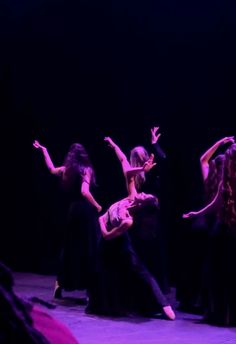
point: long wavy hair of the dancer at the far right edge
(229, 187)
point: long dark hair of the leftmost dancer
(77, 162)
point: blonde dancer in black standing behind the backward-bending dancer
(151, 244)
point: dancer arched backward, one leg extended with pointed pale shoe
(118, 258)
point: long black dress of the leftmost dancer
(80, 241)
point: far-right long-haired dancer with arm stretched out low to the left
(221, 298)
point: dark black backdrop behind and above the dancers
(76, 71)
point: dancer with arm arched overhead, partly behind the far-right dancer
(191, 290)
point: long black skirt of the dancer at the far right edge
(220, 277)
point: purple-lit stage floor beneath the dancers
(88, 329)
